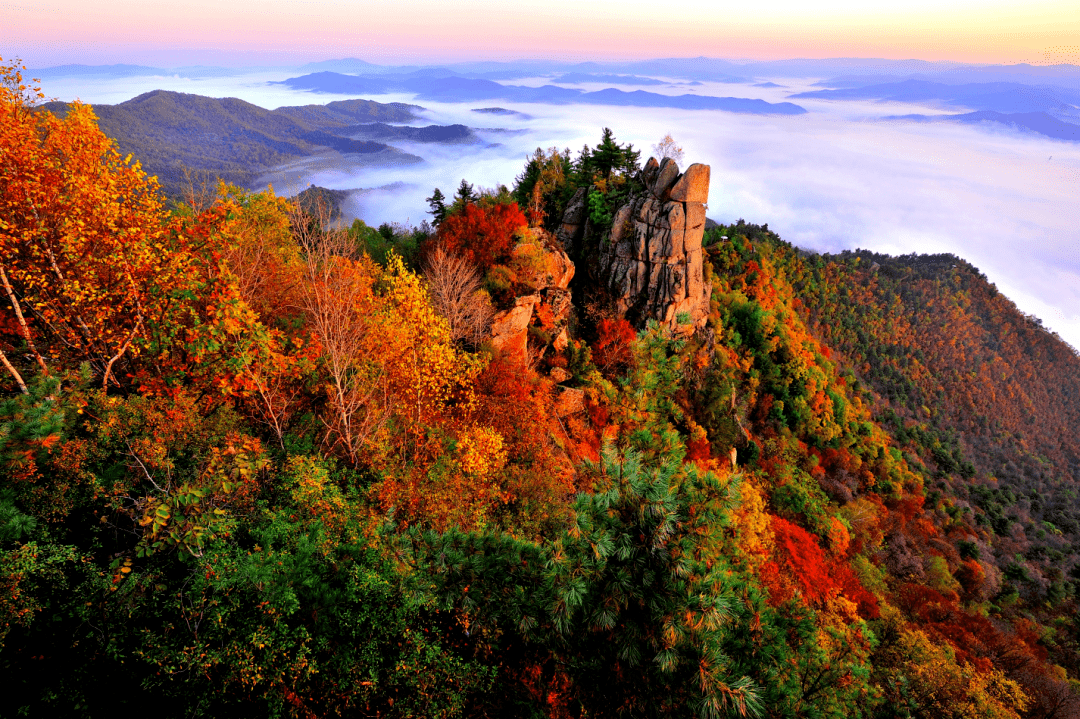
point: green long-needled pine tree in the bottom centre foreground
(628, 602)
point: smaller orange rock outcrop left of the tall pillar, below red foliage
(548, 305)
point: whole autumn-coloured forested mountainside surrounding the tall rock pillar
(256, 465)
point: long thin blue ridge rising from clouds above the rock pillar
(456, 89)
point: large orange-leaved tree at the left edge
(87, 256)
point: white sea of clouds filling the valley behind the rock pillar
(841, 177)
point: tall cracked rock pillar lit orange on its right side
(652, 263)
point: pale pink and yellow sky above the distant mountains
(238, 33)
